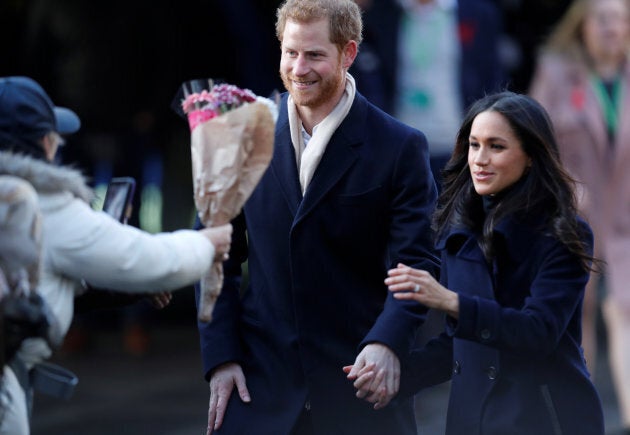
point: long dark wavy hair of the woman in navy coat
(546, 188)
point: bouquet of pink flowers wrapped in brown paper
(232, 134)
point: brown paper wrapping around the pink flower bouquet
(230, 153)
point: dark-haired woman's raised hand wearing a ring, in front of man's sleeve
(408, 283)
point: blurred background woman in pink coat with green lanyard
(582, 80)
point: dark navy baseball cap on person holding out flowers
(27, 113)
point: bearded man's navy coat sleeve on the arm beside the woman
(410, 242)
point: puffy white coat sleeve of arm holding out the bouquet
(111, 255)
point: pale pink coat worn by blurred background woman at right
(562, 86)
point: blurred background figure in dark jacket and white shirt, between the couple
(425, 61)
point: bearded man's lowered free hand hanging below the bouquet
(222, 383)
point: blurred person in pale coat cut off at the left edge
(22, 312)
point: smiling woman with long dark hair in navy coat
(516, 258)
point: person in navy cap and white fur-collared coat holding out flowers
(78, 242)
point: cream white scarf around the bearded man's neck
(308, 158)
